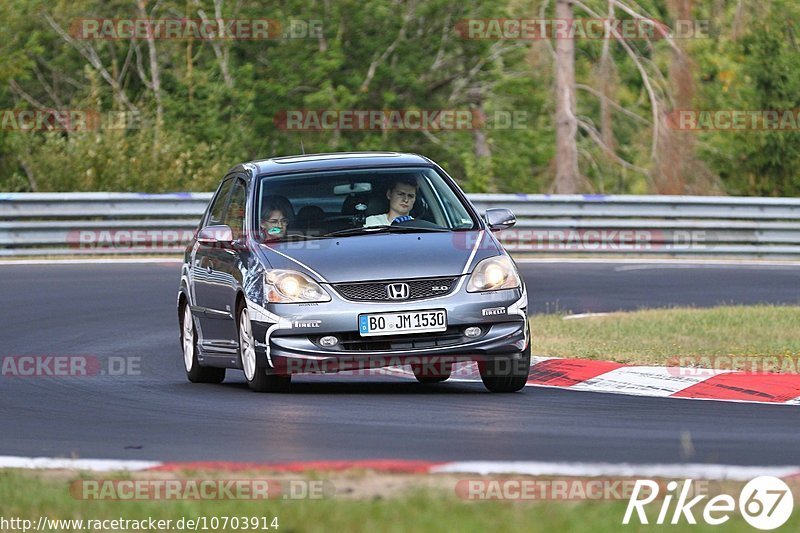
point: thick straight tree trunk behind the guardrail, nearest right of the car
(567, 174)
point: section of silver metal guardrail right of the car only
(651, 225)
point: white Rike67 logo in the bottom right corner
(765, 503)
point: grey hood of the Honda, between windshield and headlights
(383, 256)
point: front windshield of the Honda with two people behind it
(352, 202)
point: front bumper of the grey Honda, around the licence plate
(291, 344)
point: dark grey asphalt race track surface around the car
(128, 311)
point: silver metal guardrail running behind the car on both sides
(35, 224)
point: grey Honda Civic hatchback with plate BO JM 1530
(349, 262)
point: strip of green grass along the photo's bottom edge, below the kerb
(30, 495)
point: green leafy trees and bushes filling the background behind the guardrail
(211, 121)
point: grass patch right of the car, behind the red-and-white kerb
(658, 336)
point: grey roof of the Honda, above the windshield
(334, 161)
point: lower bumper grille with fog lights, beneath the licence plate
(353, 342)
